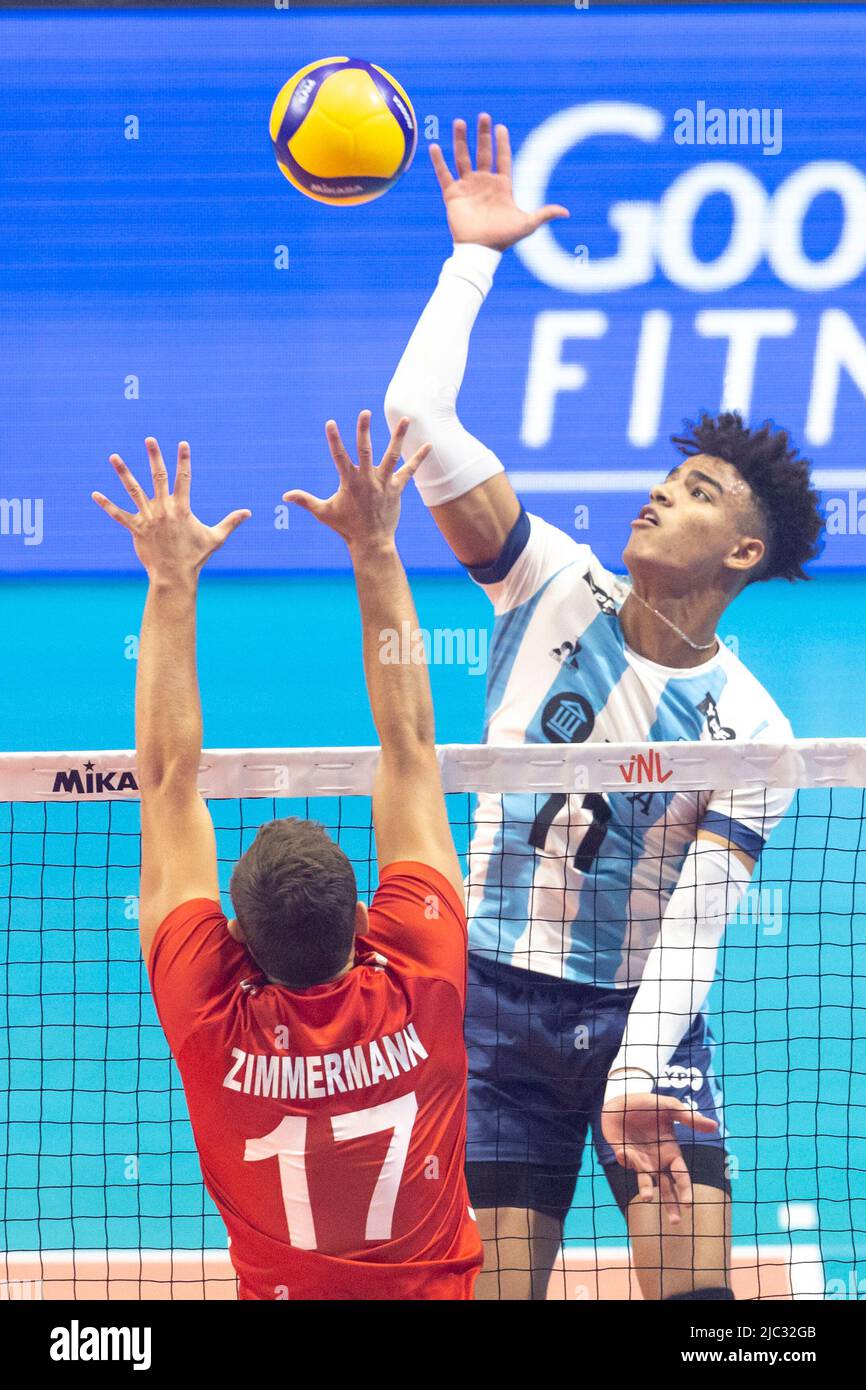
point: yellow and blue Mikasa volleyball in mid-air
(344, 131)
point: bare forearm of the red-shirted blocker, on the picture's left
(168, 703)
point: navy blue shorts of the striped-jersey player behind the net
(540, 1050)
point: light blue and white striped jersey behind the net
(576, 886)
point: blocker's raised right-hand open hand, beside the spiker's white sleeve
(366, 508)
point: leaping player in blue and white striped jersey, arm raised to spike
(596, 921)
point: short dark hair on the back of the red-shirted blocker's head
(295, 897)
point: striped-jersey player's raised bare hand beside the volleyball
(480, 204)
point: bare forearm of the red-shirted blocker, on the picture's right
(398, 683)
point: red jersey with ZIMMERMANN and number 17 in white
(332, 1122)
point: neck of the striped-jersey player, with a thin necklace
(643, 621)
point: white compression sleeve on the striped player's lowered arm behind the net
(682, 964)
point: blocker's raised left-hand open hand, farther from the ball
(169, 540)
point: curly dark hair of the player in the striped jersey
(781, 483)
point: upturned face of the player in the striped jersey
(696, 522)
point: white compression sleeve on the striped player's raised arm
(429, 376)
